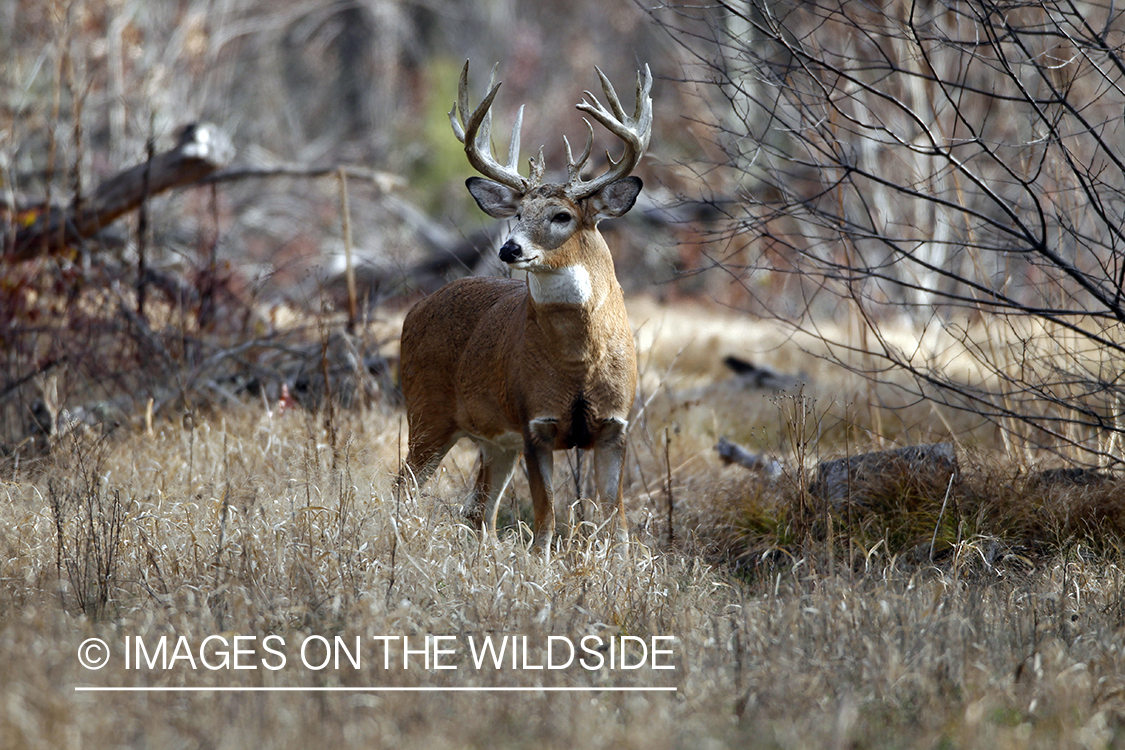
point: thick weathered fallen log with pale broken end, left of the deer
(202, 150)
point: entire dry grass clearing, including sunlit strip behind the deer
(852, 629)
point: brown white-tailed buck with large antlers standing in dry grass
(530, 367)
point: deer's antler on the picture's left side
(476, 134)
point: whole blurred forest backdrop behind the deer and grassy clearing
(932, 192)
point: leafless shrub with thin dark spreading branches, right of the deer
(953, 165)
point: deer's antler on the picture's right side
(634, 131)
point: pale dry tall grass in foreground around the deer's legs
(247, 525)
